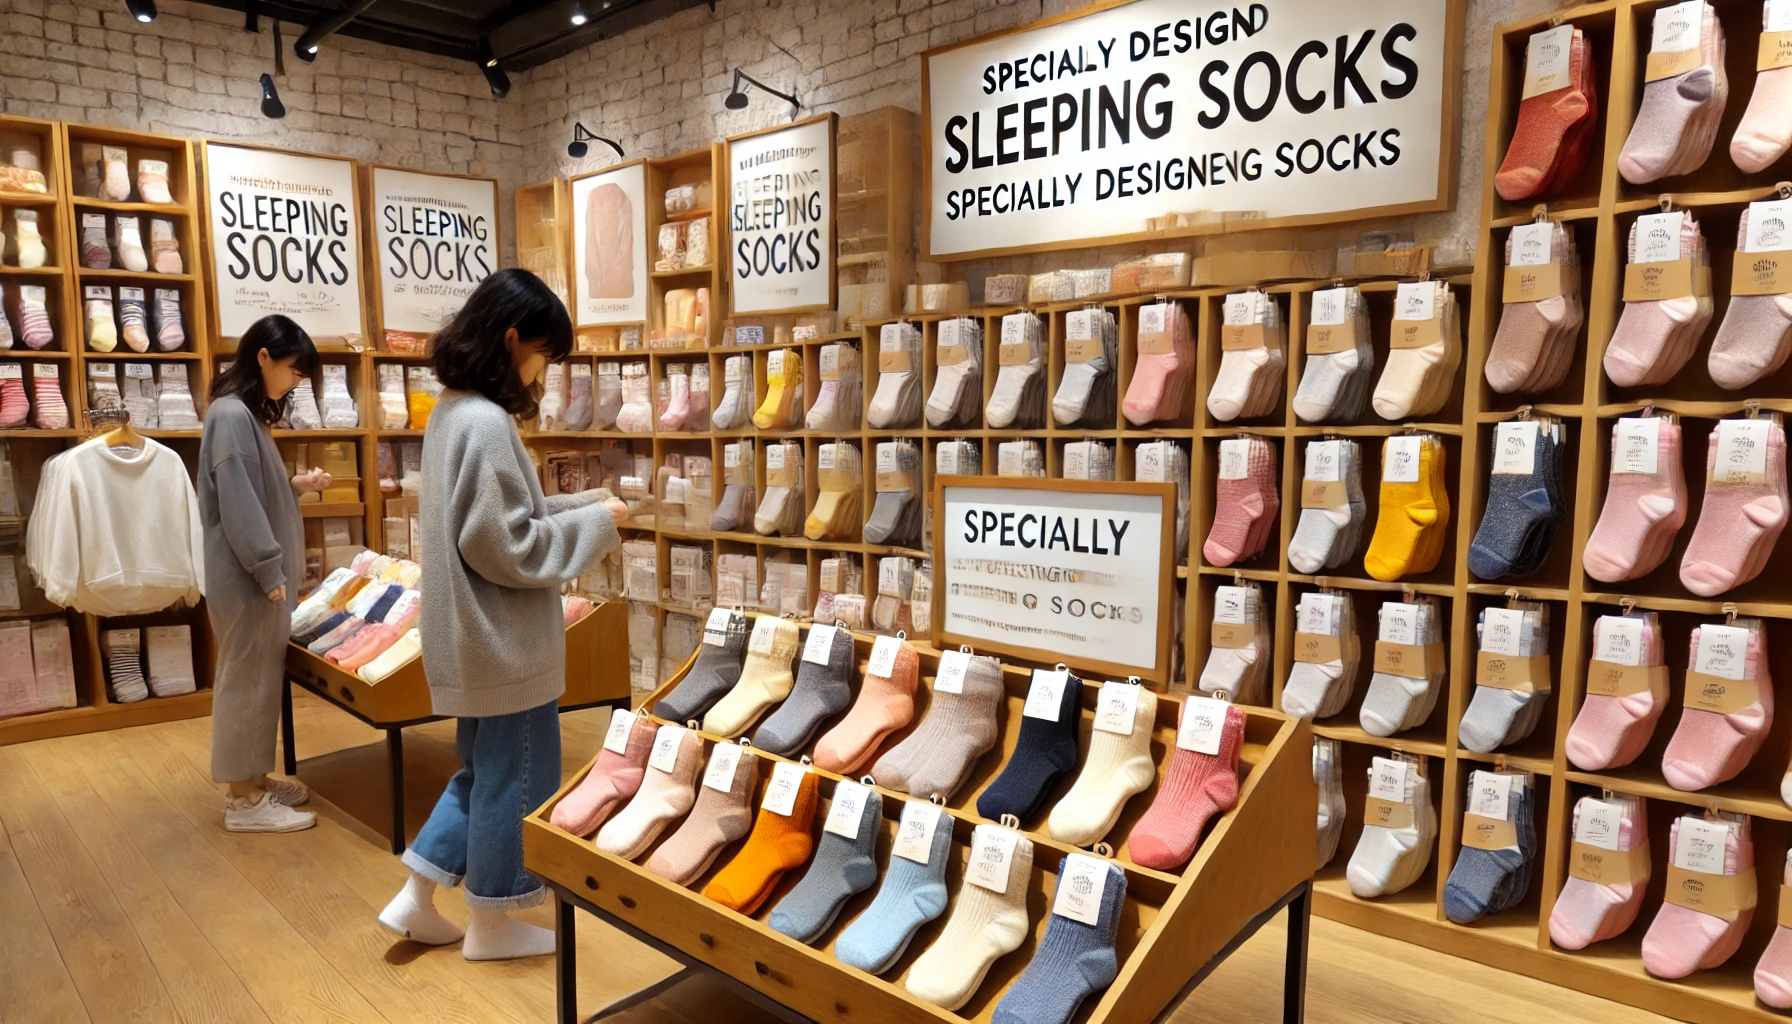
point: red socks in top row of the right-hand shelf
(1555, 132)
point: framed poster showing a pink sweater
(610, 247)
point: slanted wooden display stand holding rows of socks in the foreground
(1176, 926)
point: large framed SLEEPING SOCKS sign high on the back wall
(1076, 130)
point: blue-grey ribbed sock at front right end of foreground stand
(1073, 962)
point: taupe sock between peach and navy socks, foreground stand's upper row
(958, 729)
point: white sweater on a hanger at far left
(117, 534)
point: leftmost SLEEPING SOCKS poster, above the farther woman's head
(284, 238)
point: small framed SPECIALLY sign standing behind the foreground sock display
(1058, 575)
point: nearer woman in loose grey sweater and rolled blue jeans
(495, 555)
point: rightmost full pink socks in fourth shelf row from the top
(1712, 747)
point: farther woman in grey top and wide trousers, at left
(255, 555)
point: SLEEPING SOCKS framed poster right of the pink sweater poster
(780, 218)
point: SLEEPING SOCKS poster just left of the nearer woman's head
(435, 239)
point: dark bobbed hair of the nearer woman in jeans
(470, 352)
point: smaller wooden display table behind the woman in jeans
(598, 673)
